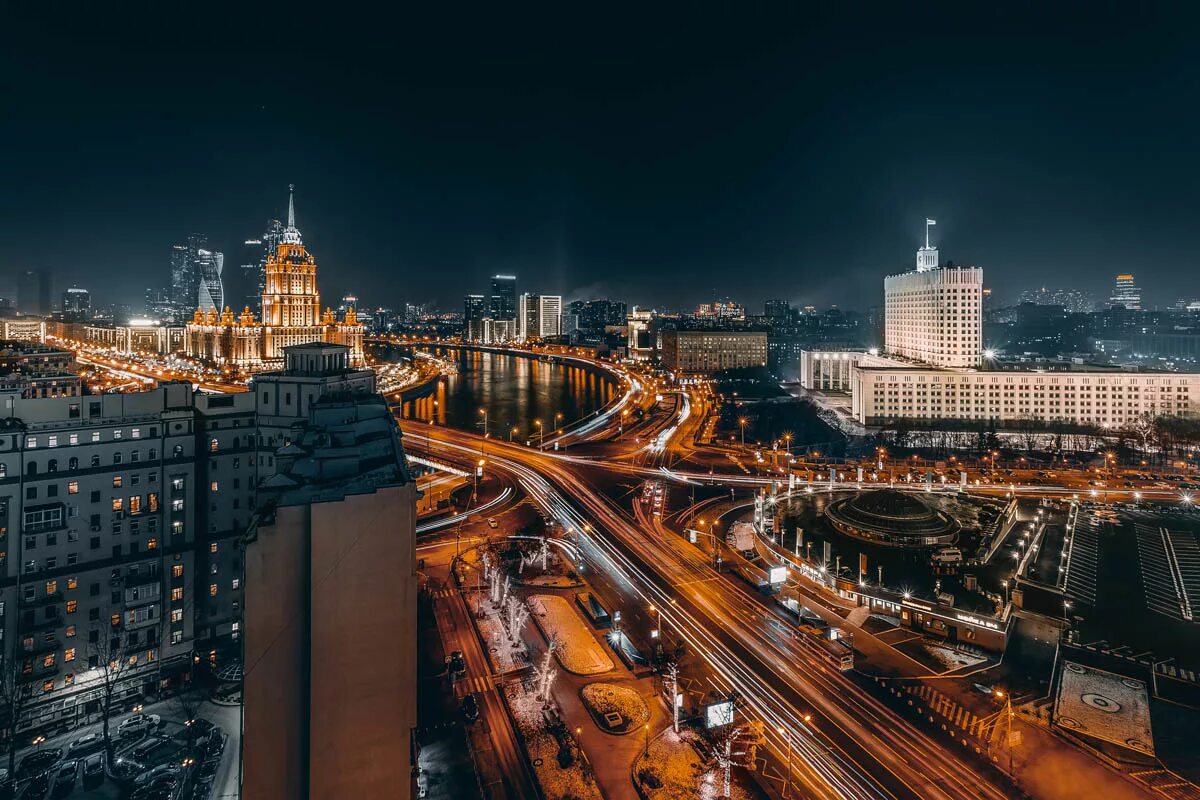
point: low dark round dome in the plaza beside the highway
(893, 520)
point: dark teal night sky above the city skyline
(597, 149)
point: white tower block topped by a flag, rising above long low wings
(935, 315)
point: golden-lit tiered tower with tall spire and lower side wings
(291, 315)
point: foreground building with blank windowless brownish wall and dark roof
(331, 564)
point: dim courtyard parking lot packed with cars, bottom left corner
(155, 759)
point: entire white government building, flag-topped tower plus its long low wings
(932, 369)
